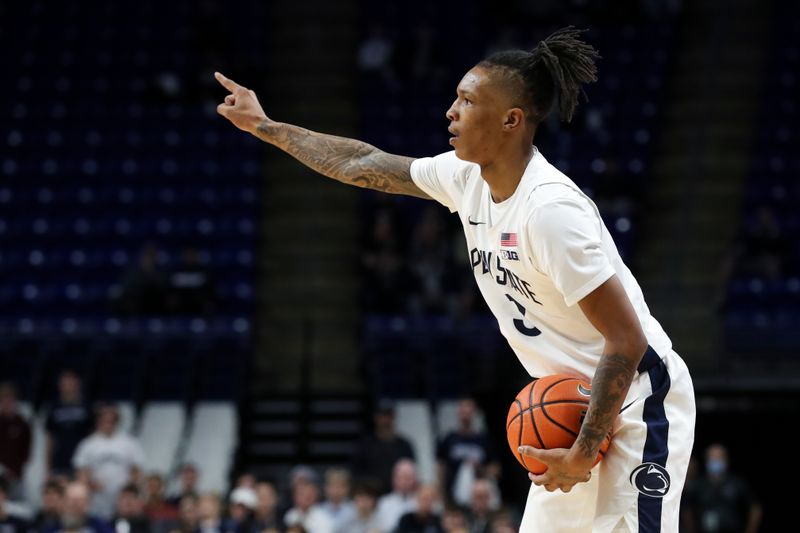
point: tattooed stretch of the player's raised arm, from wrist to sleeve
(346, 160)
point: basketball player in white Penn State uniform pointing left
(551, 274)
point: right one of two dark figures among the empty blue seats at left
(191, 288)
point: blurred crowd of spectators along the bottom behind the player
(96, 484)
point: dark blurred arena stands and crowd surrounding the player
(235, 317)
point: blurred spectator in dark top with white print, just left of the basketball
(465, 454)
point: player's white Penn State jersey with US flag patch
(535, 256)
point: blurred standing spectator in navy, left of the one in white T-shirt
(69, 421)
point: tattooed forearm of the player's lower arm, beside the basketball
(610, 385)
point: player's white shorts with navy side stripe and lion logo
(637, 487)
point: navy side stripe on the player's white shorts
(655, 444)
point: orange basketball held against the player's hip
(548, 414)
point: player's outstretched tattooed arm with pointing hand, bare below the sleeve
(346, 160)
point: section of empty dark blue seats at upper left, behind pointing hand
(99, 179)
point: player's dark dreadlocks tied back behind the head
(554, 71)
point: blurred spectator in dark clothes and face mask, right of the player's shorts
(720, 502)
